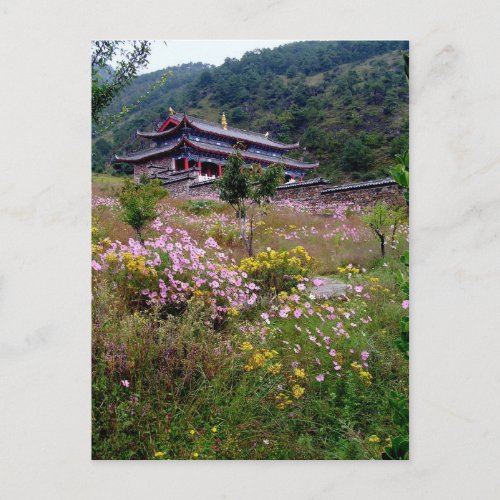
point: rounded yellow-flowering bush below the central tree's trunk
(279, 271)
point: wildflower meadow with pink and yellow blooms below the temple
(202, 353)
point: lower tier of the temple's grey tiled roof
(225, 150)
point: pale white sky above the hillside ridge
(174, 52)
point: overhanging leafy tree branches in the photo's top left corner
(107, 83)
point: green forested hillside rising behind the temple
(346, 102)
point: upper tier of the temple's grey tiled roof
(216, 128)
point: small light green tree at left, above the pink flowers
(138, 203)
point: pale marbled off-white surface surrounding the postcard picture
(45, 250)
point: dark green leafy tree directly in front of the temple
(246, 188)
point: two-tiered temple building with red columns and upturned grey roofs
(186, 147)
